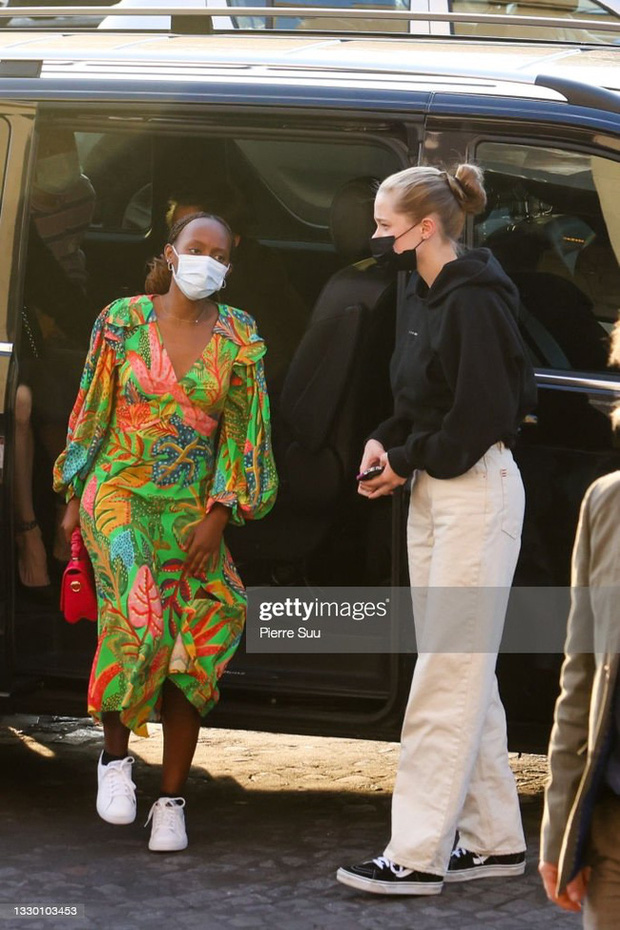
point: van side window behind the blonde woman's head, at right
(552, 219)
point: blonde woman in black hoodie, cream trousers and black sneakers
(462, 383)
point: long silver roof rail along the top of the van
(292, 12)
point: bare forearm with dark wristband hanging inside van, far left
(31, 555)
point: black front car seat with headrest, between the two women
(335, 391)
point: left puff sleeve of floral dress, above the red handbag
(91, 412)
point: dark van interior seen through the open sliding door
(303, 213)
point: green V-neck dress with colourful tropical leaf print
(149, 454)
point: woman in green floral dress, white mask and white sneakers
(168, 440)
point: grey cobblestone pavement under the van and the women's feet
(270, 818)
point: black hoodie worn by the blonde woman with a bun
(460, 373)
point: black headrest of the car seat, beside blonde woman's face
(351, 218)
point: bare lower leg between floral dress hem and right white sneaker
(181, 725)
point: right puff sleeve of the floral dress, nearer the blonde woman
(245, 476)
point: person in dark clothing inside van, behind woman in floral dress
(260, 283)
